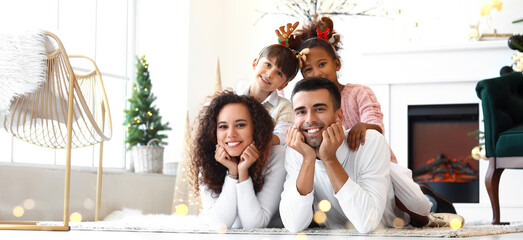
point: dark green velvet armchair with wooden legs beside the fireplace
(502, 102)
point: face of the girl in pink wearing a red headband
(320, 64)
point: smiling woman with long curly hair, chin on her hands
(232, 164)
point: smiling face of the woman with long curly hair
(234, 128)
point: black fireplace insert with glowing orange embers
(439, 149)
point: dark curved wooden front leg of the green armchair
(492, 184)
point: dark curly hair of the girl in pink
(307, 37)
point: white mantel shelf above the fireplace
(426, 63)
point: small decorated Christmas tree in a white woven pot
(144, 124)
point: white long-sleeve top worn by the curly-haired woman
(238, 206)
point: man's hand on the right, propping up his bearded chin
(333, 137)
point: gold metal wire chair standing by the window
(69, 110)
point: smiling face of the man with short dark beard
(313, 113)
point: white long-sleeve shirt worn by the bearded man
(364, 200)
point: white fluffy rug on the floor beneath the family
(134, 220)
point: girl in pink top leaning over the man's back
(361, 111)
